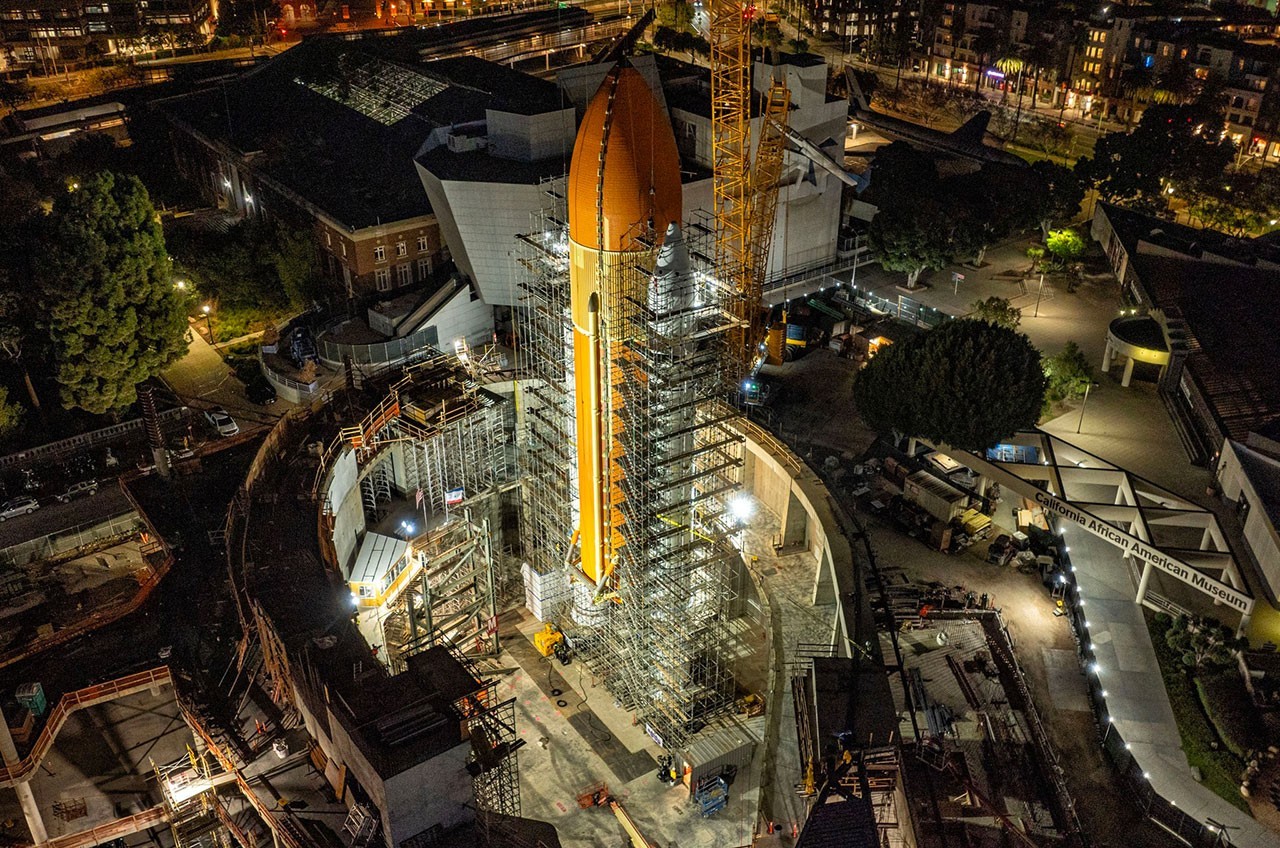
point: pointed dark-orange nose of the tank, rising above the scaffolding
(625, 174)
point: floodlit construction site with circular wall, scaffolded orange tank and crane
(552, 592)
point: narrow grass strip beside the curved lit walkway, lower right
(1220, 771)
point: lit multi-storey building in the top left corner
(48, 37)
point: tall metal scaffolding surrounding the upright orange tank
(657, 639)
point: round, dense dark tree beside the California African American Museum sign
(967, 384)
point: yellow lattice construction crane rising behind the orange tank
(746, 198)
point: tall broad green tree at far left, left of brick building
(112, 312)
